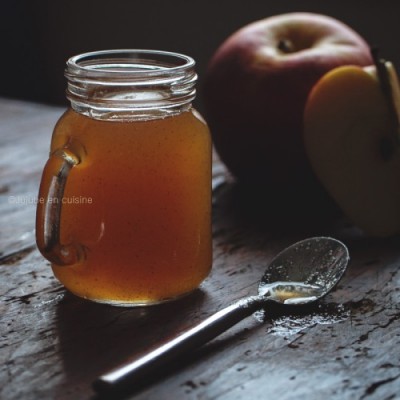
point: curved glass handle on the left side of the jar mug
(48, 215)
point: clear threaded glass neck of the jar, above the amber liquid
(130, 83)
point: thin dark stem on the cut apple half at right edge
(387, 91)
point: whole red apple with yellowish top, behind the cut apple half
(256, 88)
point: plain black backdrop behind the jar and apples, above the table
(38, 36)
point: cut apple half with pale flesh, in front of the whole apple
(351, 141)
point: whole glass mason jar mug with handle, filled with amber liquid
(125, 199)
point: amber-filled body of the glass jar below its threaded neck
(137, 203)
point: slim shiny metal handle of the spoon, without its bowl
(126, 376)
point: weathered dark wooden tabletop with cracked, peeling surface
(53, 345)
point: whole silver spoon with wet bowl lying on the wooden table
(300, 274)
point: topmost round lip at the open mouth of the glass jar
(129, 63)
